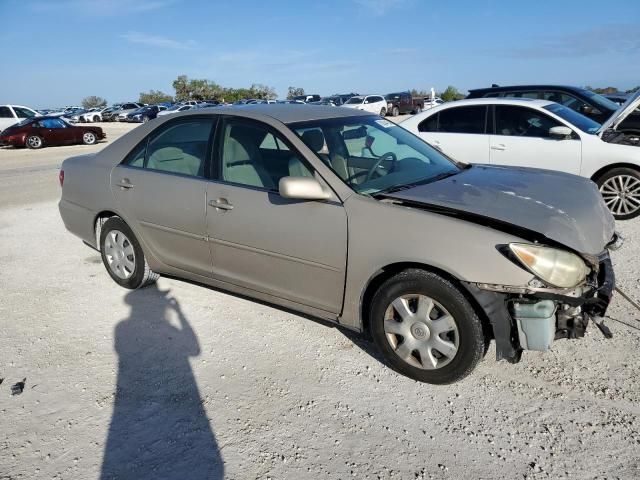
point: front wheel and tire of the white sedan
(620, 189)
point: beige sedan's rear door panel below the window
(169, 212)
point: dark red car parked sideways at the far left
(38, 132)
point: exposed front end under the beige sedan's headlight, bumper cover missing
(570, 318)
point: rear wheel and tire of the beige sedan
(131, 270)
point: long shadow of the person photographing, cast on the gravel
(159, 428)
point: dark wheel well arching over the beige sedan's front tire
(390, 270)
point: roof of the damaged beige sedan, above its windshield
(286, 113)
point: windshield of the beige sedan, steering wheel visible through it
(372, 155)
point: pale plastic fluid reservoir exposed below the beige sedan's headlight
(536, 324)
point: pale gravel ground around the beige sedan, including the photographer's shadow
(185, 382)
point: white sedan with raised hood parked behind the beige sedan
(541, 134)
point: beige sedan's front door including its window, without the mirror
(291, 249)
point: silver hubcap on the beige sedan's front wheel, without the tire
(421, 331)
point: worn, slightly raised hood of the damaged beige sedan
(561, 207)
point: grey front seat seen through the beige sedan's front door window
(242, 162)
